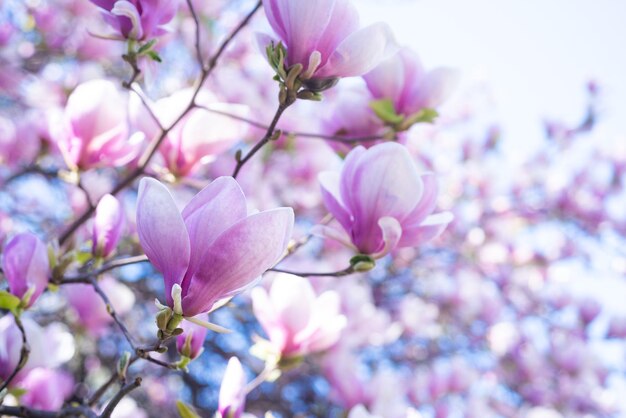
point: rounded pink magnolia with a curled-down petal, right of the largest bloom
(381, 201)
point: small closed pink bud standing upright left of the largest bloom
(108, 226)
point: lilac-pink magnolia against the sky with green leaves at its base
(402, 79)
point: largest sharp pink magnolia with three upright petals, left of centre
(214, 249)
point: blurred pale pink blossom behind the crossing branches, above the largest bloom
(199, 137)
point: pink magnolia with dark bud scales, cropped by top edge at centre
(324, 37)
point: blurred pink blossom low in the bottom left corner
(46, 389)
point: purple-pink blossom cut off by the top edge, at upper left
(138, 19)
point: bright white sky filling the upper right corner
(536, 55)
